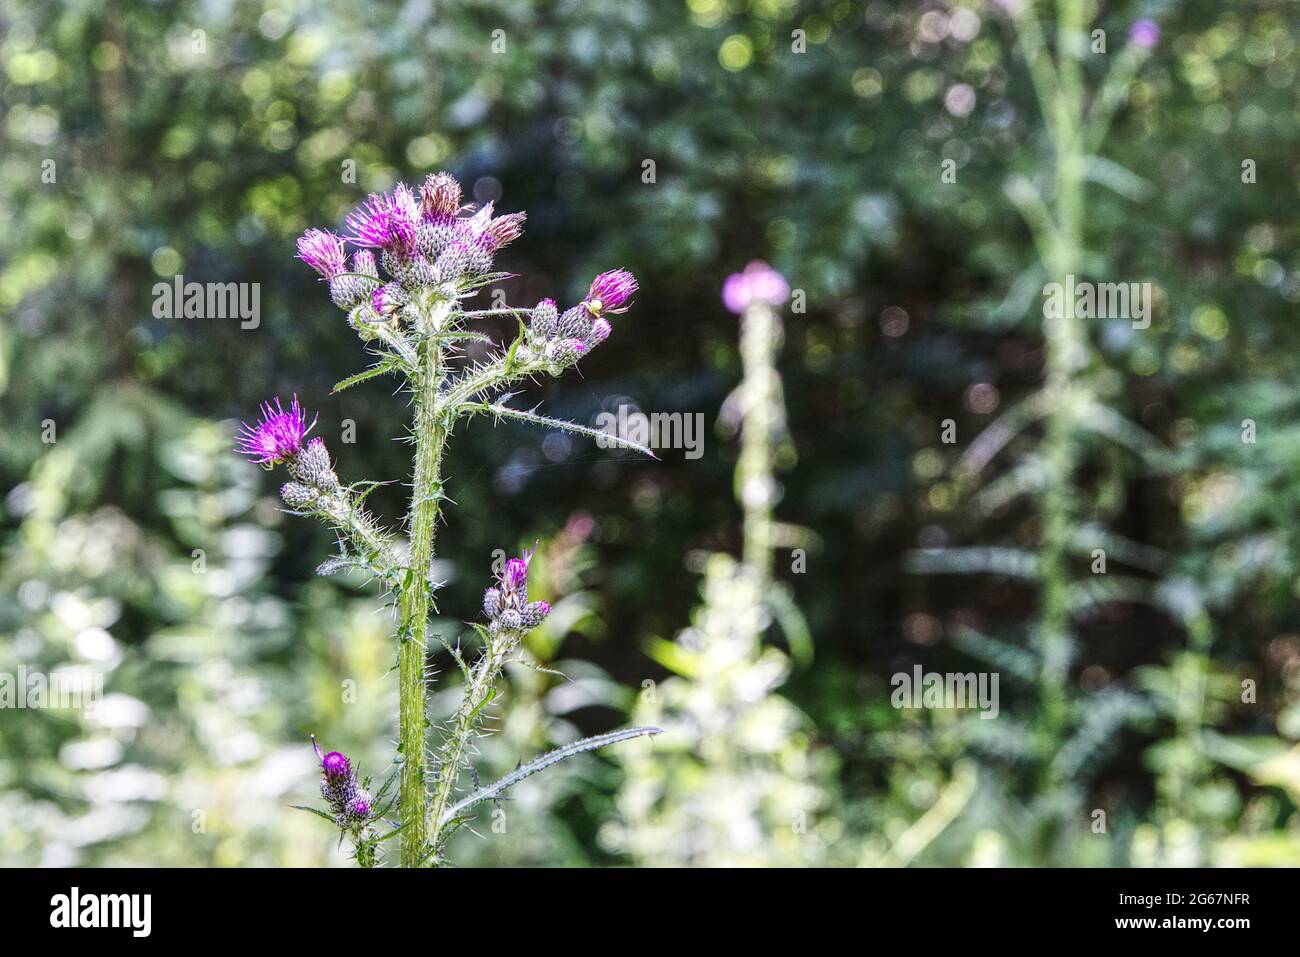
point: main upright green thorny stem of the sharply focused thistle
(431, 436)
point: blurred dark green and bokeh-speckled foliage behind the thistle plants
(142, 140)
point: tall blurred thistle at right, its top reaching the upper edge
(1081, 428)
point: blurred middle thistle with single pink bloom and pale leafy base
(735, 781)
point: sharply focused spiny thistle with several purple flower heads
(421, 254)
